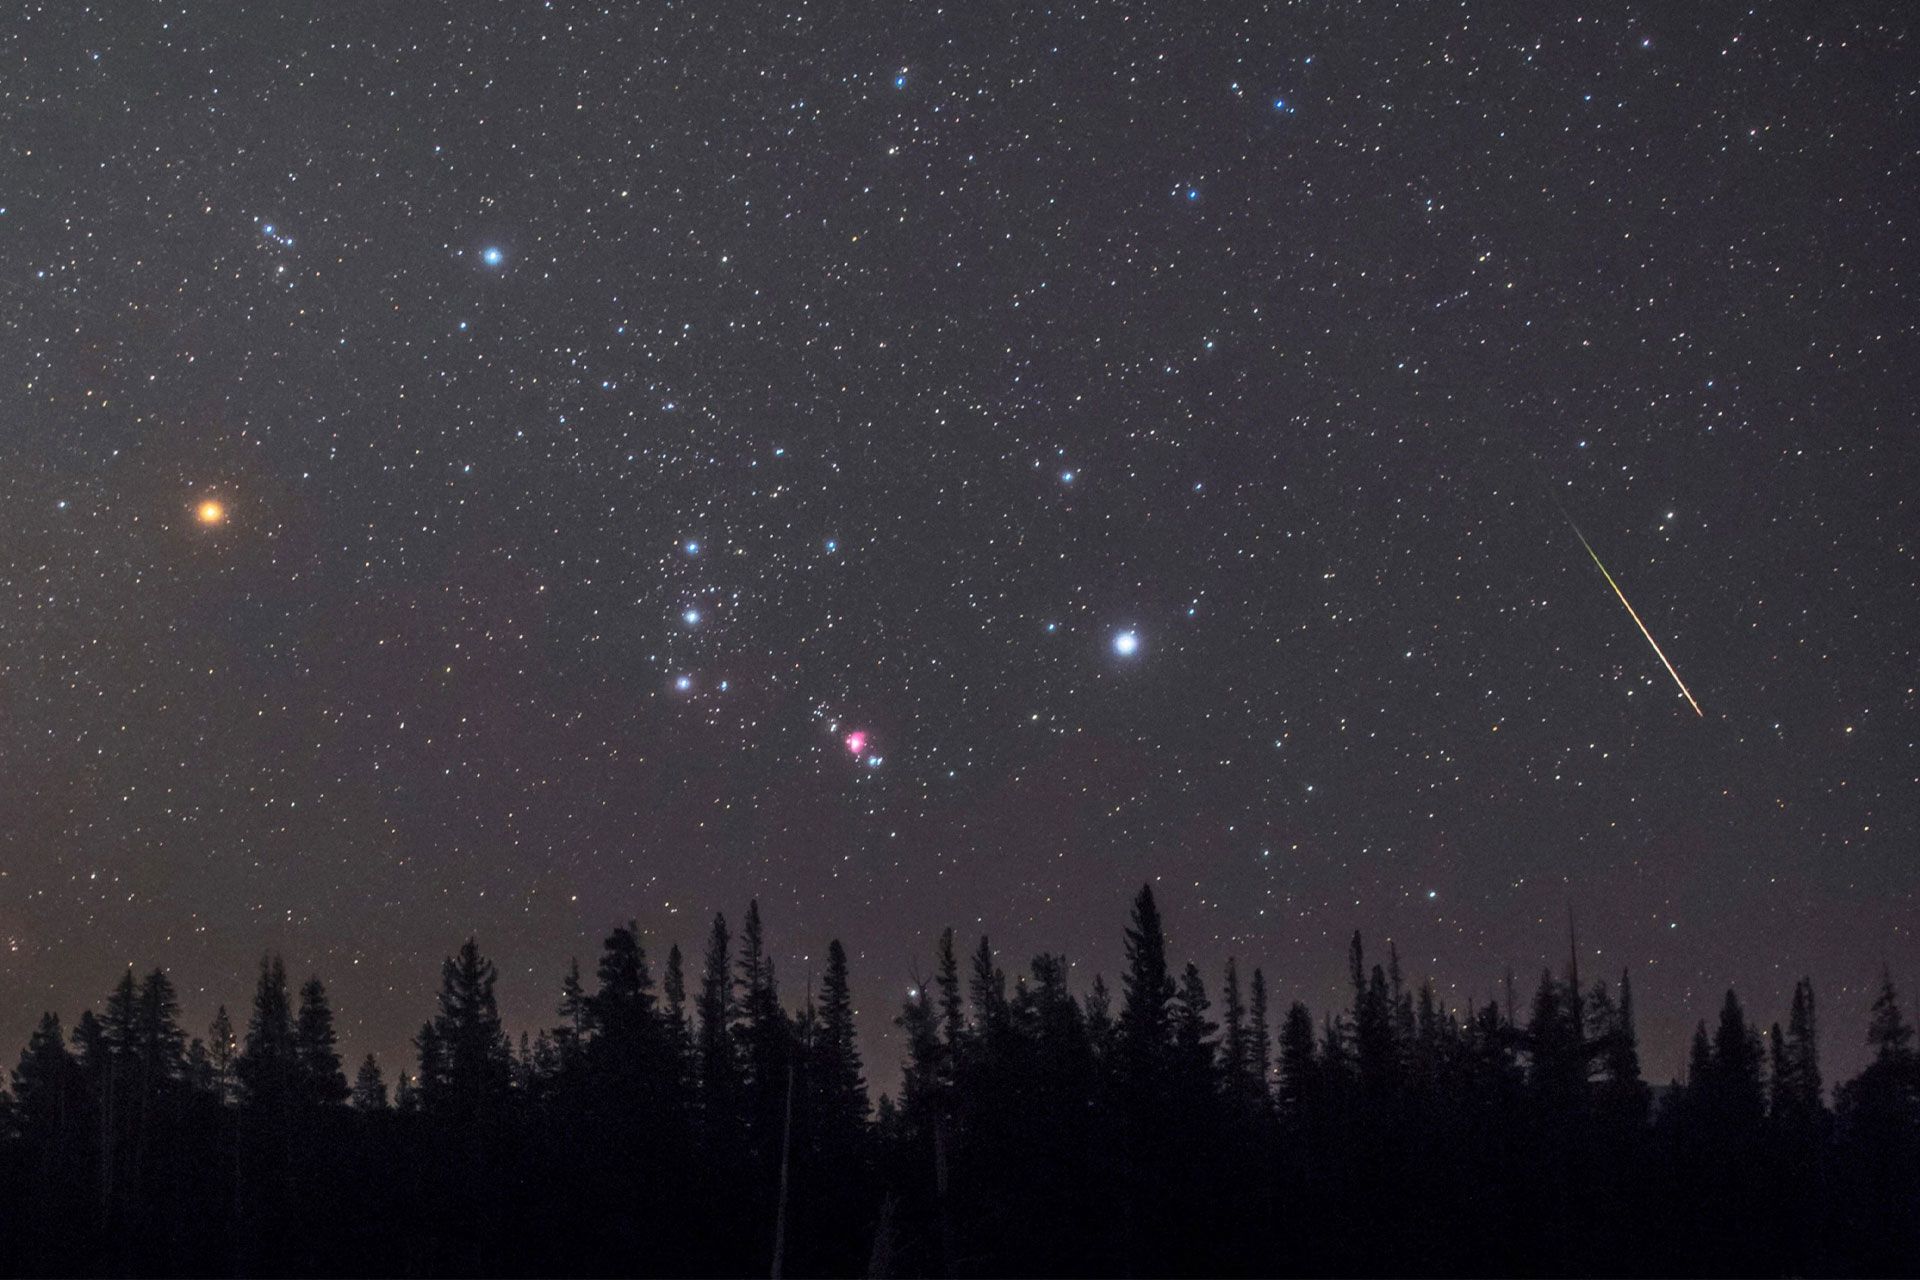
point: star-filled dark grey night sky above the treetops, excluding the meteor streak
(951, 465)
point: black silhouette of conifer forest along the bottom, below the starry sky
(700, 1127)
